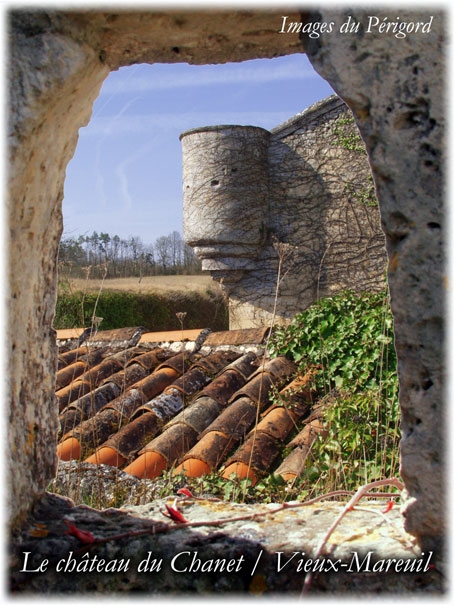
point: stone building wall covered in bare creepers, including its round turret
(300, 196)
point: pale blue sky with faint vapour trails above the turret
(126, 175)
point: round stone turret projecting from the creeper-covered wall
(226, 196)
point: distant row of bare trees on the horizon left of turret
(103, 255)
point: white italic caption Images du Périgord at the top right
(374, 24)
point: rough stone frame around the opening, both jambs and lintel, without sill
(395, 89)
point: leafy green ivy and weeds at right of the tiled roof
(349, 338)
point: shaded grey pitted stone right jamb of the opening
(400, 112)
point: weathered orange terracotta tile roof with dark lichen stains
(125, 401)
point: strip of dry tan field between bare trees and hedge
(157, 283)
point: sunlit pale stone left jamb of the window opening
(55, 81)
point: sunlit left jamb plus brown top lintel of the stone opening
(57, 63)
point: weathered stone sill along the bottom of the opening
(266, 553)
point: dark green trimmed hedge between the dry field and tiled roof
(157, 312)
